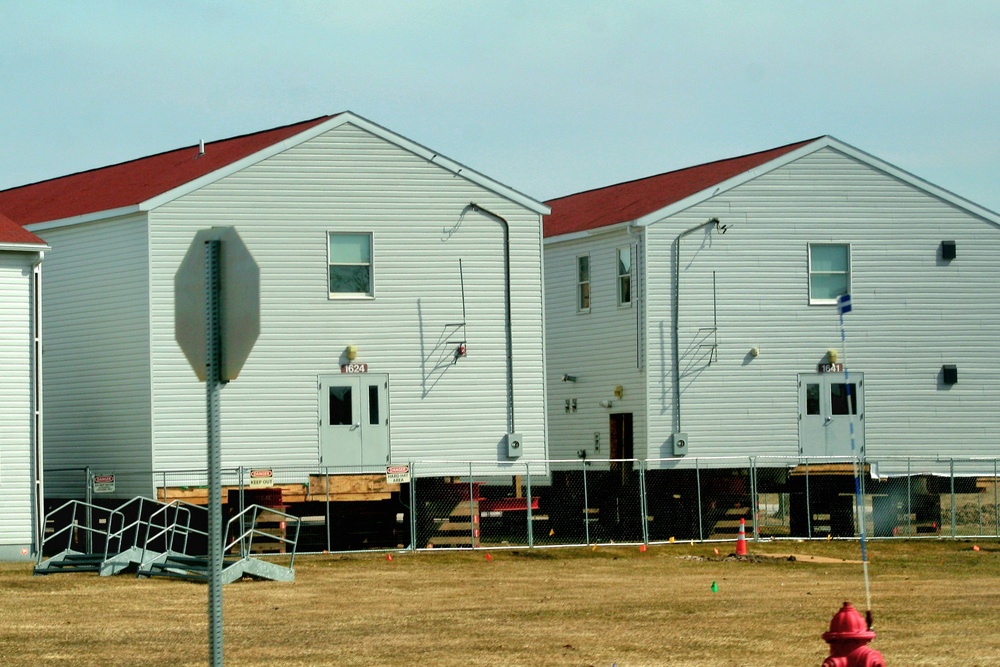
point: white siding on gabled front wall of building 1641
(912, 313)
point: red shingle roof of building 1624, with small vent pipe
(131, 183)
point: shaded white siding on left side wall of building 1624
(97, 367)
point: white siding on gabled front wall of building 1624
(429, 242)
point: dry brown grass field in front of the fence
(935, 602)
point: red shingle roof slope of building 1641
(634, 199)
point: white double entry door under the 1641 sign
(826, 414)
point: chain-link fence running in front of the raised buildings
(586, 502)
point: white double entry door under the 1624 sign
(354, 420)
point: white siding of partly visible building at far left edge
(16, 404)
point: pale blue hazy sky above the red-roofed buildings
(550, 97)
